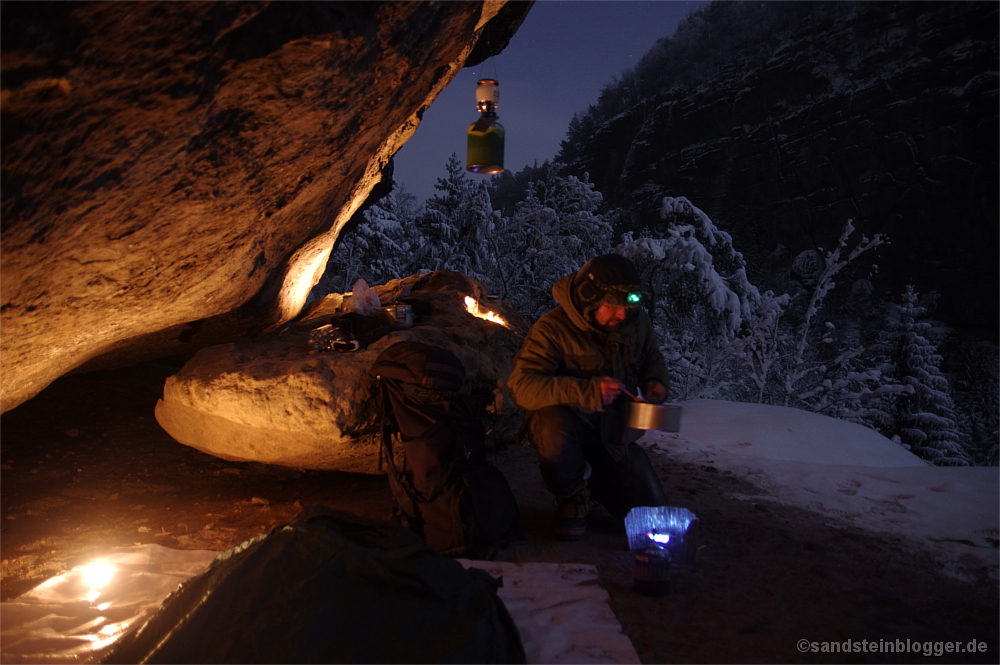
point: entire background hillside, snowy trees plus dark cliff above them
(808, 131)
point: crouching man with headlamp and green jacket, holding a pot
(573, 375)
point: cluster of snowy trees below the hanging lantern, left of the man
(553, 231)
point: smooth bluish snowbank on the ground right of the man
(846, 473)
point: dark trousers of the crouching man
(566, 440)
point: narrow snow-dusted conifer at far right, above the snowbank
(925, 420)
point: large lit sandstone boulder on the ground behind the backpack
(275, 399)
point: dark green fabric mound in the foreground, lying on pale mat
(330, 587)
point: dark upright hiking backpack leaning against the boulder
(446, 491)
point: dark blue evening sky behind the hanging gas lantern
(556, 64)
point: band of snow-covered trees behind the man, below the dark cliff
(826, 344)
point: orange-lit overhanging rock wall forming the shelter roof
(175, 174)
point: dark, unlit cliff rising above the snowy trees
(885, 113)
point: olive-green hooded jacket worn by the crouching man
(564, 357)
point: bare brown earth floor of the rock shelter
(85, 467)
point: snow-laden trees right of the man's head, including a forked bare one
(723, 338)
